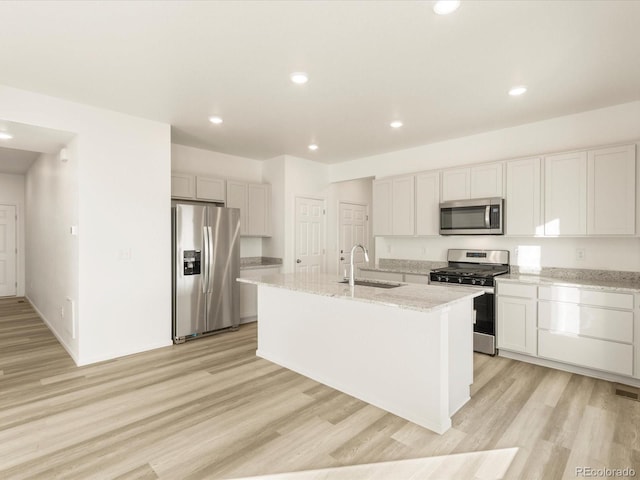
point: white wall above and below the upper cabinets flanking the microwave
(611, 125)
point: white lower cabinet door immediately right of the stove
(516, 321)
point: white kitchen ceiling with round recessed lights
(368, 62)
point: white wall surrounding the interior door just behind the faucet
(356, 191)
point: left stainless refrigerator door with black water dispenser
(190, 257)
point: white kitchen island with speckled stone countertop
(407, 350)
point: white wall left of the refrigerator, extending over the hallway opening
(124, 190)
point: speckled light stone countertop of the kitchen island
(424, 298)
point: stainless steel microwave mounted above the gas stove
(481, 216)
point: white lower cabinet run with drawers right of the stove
(587, 328)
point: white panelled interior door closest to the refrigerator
(310, 249)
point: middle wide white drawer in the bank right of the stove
(580, 320)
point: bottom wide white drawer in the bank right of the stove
(586, 352)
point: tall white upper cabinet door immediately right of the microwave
(523, 198)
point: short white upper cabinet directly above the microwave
(483, 181)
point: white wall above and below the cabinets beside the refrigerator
(197, 161)
